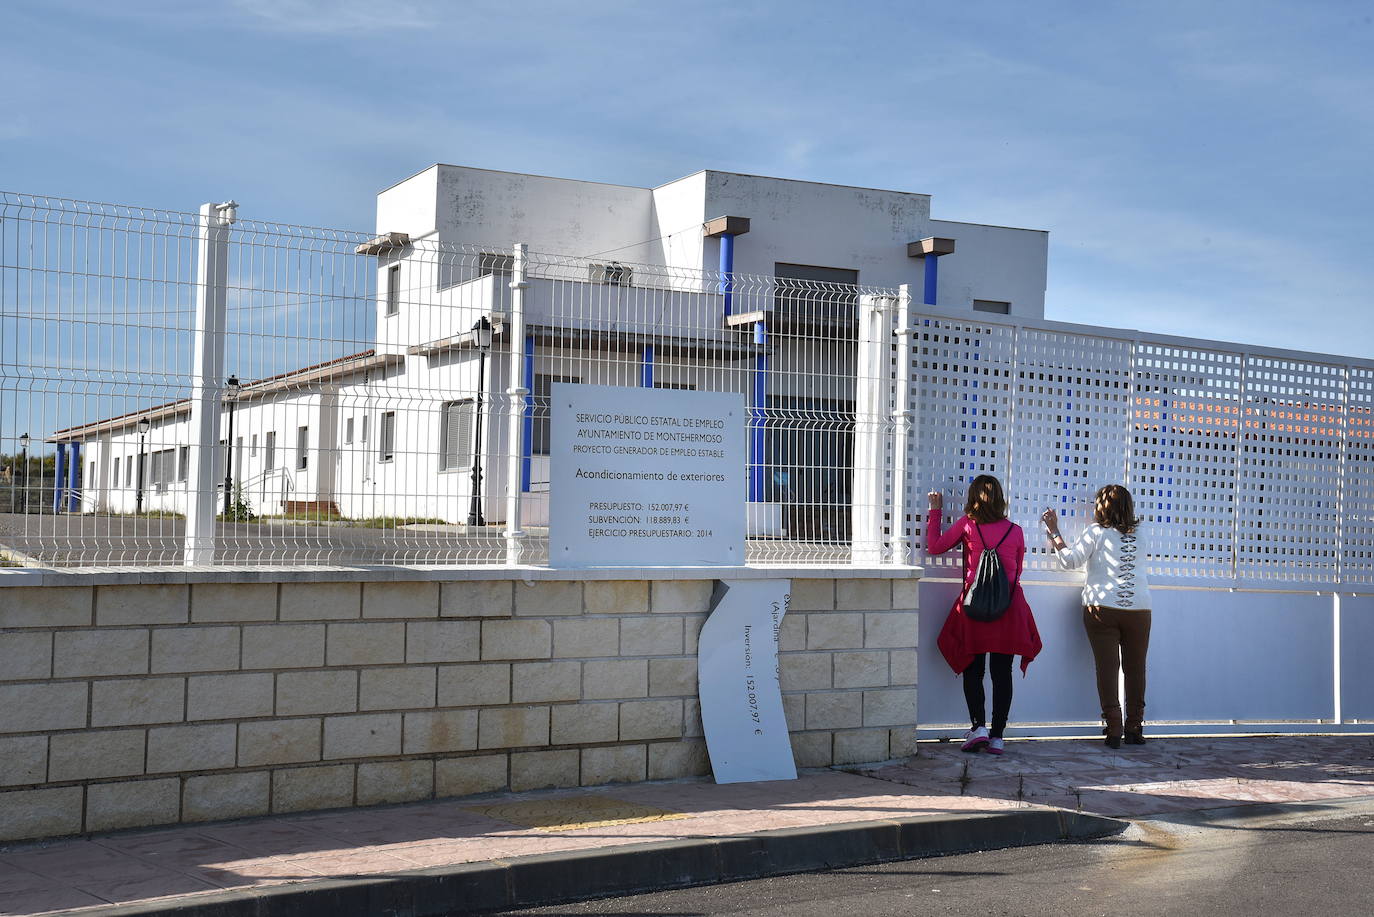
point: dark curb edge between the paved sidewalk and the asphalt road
(548, 879)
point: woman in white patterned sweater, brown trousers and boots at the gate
(1116, 606)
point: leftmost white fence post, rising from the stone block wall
(212, 278)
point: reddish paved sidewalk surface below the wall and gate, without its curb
(941, 782)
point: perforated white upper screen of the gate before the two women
(1251, 468)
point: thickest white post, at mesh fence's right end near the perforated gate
(873, 406)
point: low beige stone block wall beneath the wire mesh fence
(134, 705)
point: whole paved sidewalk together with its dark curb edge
(557, 845)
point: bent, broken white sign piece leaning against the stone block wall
(741, 695)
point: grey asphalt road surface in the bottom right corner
(1221, 864)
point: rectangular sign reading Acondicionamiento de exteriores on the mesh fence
(646, 478)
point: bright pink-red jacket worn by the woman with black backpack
(1015, 633)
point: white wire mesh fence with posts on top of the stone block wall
(377, 401)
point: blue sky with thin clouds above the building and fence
(1204, 168)
